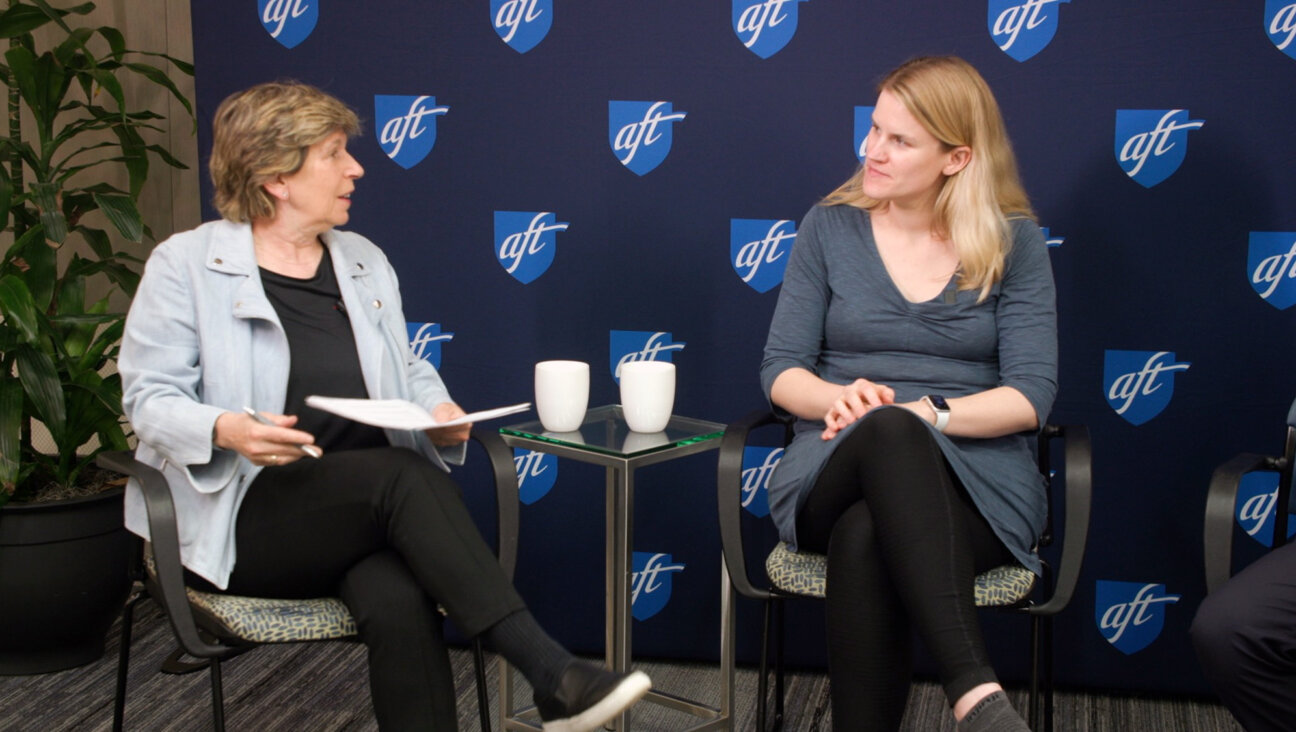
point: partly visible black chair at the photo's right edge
(1223, 497)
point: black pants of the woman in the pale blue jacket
(387, 532)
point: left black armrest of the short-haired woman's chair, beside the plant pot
(167, 553)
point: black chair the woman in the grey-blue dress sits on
(1010, 588)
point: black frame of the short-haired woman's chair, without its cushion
(192, 632)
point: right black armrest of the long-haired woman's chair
(1079, 485)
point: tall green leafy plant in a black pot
(58, 343)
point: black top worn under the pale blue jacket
(322, 356)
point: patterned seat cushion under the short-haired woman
(266, 620)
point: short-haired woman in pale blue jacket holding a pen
(274, 304)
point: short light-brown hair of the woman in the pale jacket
(262, 133)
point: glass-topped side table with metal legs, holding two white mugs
(605, 440)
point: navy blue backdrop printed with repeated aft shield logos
(579, 179)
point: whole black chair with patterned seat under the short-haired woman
(214, 628)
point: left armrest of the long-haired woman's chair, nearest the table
(729, 497)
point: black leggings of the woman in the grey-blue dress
(904, 545)
